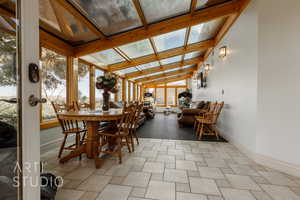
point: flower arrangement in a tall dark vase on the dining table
(108, 83)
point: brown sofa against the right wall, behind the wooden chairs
(187, 115)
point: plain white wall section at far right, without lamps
(278, 133)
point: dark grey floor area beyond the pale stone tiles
(166, 127)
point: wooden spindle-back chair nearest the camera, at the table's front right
(115, 139)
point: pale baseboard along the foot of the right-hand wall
(267, 161)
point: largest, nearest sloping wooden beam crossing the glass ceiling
(165, 26)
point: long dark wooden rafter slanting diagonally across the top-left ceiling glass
(81, 18)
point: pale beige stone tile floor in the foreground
(173, 169)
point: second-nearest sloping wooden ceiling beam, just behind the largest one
(162, 55)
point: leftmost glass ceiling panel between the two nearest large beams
(103, 58)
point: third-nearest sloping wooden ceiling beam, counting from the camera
(164, 67)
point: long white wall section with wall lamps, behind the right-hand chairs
(237, 75)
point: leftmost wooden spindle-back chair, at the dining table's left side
(69, 127)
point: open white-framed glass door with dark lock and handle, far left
(19, 127)
